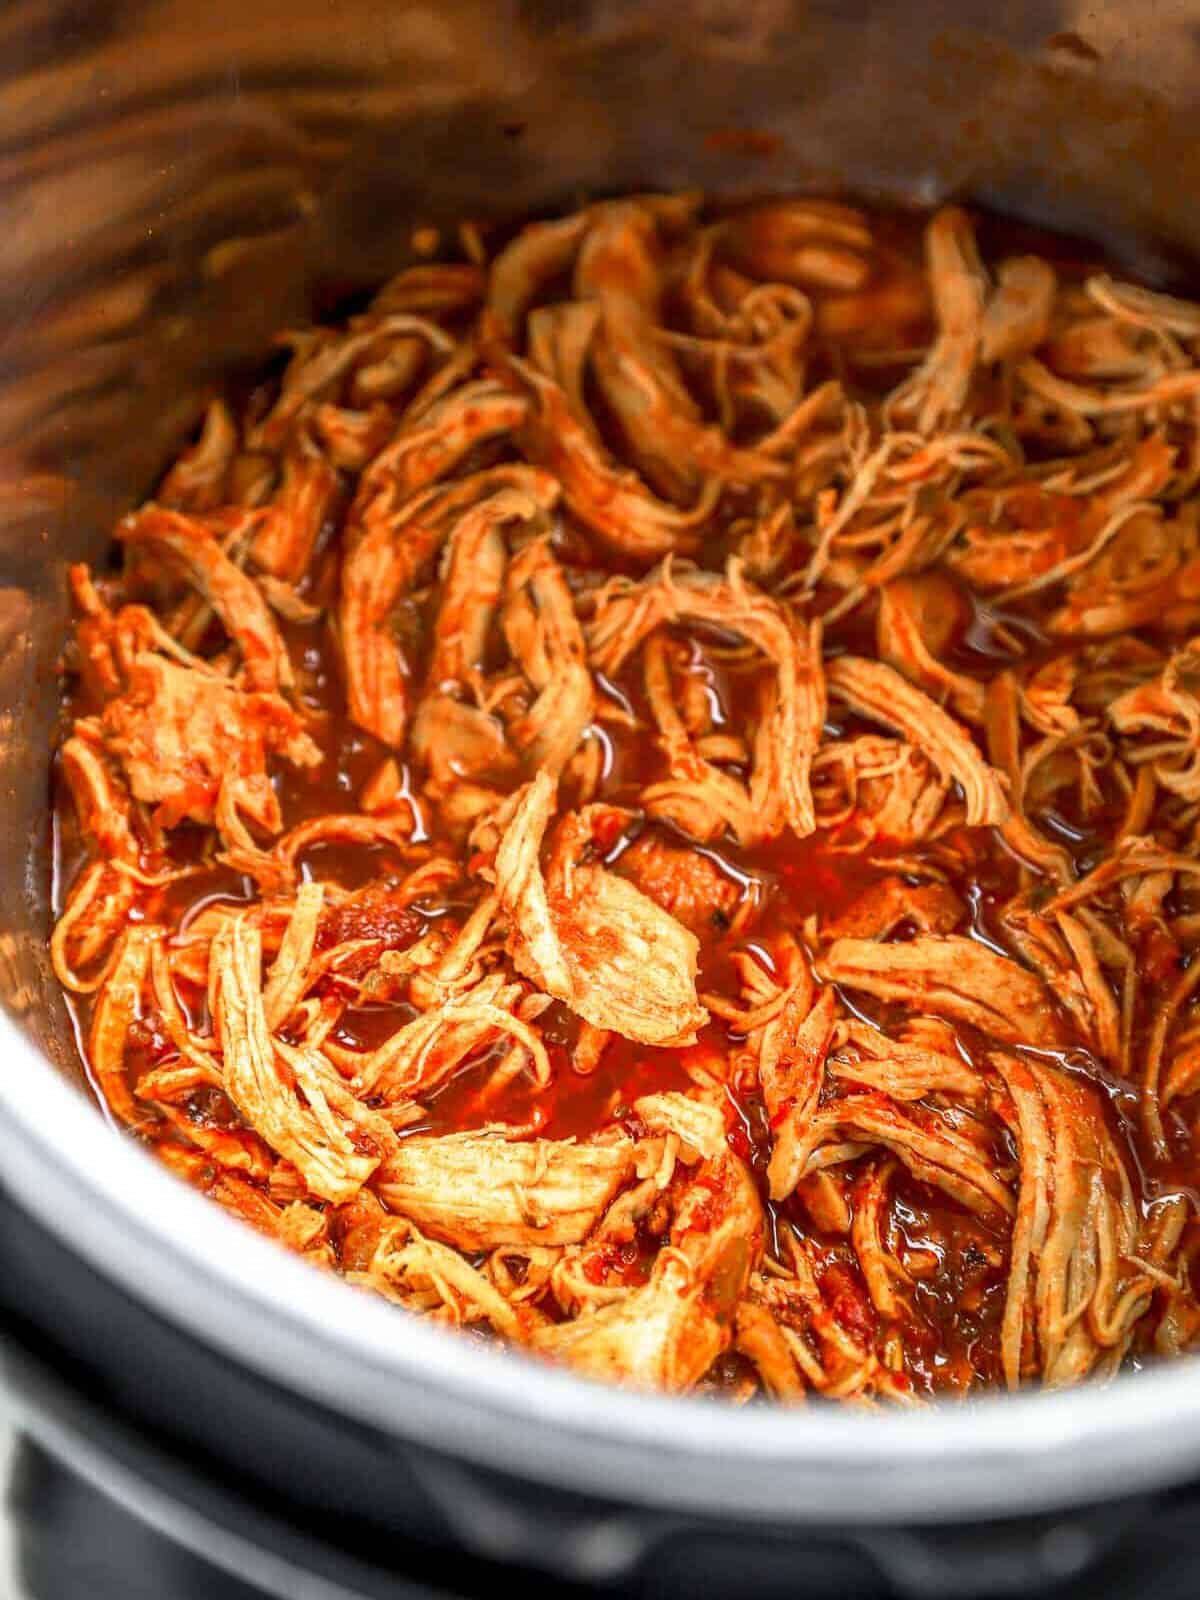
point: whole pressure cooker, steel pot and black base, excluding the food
(201, 1414)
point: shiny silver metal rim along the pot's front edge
(204, 1271)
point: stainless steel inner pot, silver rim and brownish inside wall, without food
(178, 178)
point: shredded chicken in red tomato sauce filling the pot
(642, 799)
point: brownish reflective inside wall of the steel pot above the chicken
(182, 180)
